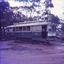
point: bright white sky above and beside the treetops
(57, 10)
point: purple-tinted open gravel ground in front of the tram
(12, 52)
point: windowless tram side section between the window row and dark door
(36, 32)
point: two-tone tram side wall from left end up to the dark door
(35, 32)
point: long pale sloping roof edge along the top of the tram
(29, 24)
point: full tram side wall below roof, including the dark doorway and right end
(36, 32)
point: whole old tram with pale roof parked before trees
(39, 31)
